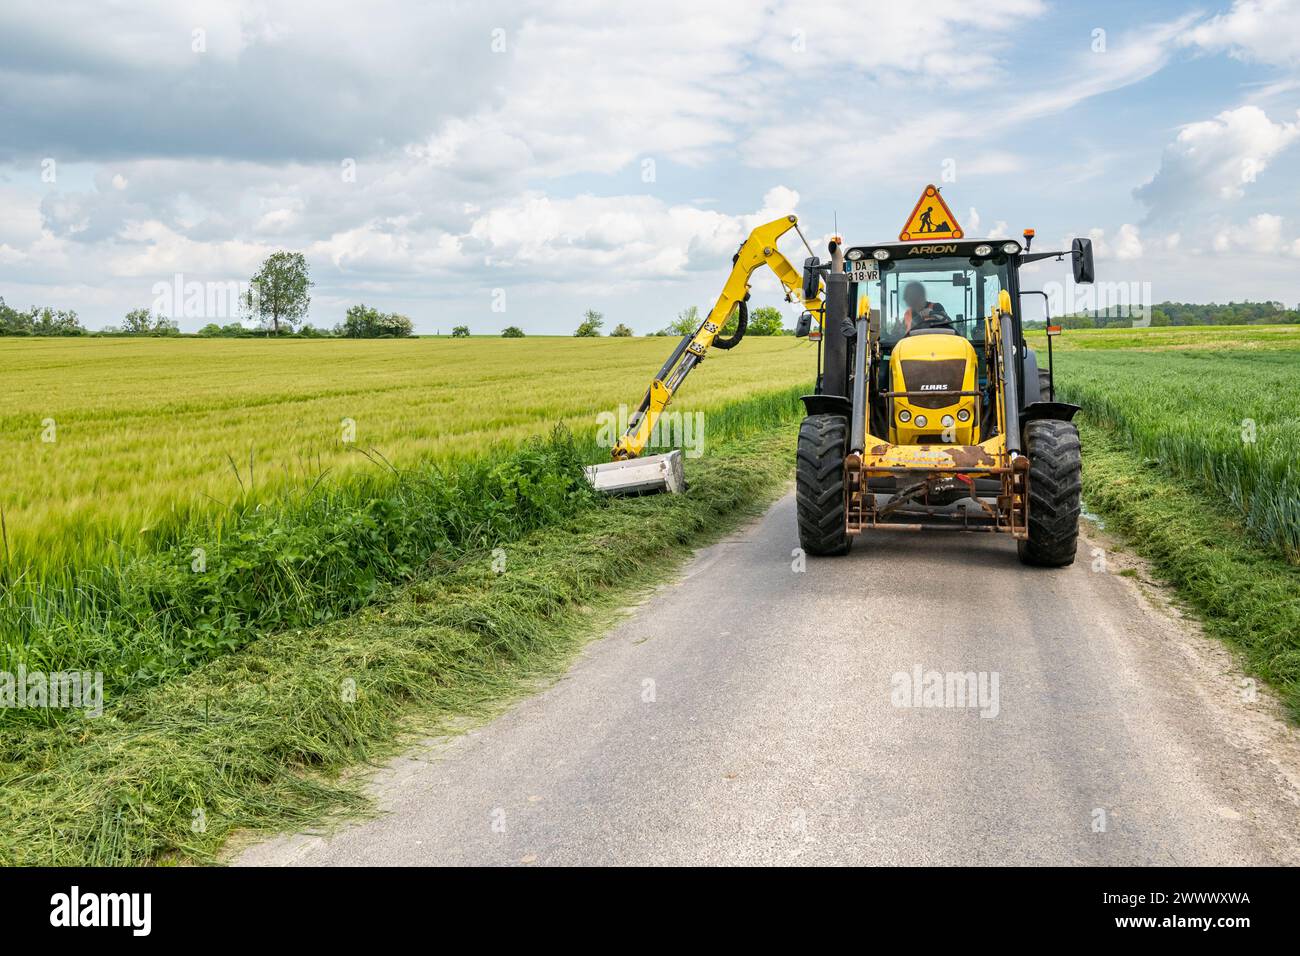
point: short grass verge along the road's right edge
(1243, 592)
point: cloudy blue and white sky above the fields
(450, 161)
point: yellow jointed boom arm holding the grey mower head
(760, 249)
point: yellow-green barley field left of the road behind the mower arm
(107, 443)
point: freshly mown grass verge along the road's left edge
(262, 738)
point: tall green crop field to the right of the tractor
(1225, 422)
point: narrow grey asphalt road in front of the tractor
(751, 713)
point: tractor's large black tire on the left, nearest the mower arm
(820, 486)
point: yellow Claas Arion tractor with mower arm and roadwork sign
(930, 410)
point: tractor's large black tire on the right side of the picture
(1056, 483)
